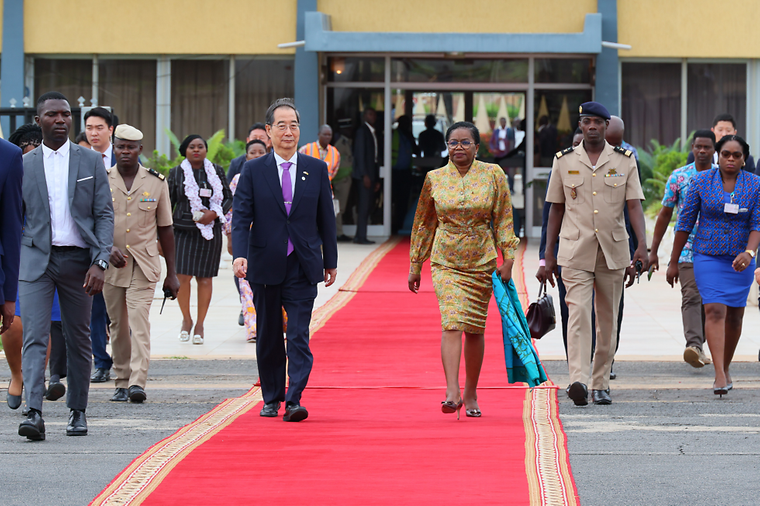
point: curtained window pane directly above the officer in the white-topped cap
(129, 88)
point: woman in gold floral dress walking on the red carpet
(464, 214)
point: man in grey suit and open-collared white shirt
(66, 243)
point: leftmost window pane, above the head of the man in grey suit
(73, 78)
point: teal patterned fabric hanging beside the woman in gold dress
(523, 365)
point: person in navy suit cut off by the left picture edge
(11, 175)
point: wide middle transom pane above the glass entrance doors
(459, 71)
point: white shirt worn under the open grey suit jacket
(62, 226)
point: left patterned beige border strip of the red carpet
(133, 485)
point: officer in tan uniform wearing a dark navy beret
(589, 188)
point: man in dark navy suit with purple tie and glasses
(284, 225)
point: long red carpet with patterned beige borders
(375, 432)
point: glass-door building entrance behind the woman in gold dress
(536, 99)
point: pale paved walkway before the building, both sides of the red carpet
(652, 328)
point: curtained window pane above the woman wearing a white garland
(199, 97)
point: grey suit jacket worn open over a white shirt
(89, 200)
